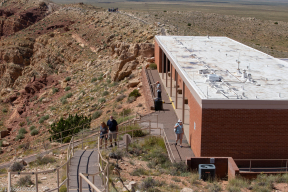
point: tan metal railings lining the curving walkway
(92, 140)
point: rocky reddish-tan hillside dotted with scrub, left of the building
(68, 59)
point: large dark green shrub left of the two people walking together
(64, 124)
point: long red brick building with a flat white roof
(237, 96)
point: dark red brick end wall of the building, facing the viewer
(245, 133)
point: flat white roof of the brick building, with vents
(266, 77)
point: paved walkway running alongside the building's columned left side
(167, 119)
